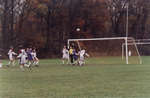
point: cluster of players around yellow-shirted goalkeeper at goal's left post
(74, 57)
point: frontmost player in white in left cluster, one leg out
(23, 61)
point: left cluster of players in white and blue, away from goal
(26, 58)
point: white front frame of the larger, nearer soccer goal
(111, 38)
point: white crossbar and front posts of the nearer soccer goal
(125, 40)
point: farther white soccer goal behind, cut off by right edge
(142, 49)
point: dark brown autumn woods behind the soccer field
(47, 24)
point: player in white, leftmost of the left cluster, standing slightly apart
(11, 55)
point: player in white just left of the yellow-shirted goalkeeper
(65, 56)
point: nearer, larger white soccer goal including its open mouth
(104, 50)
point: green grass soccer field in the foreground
(53, 80)
